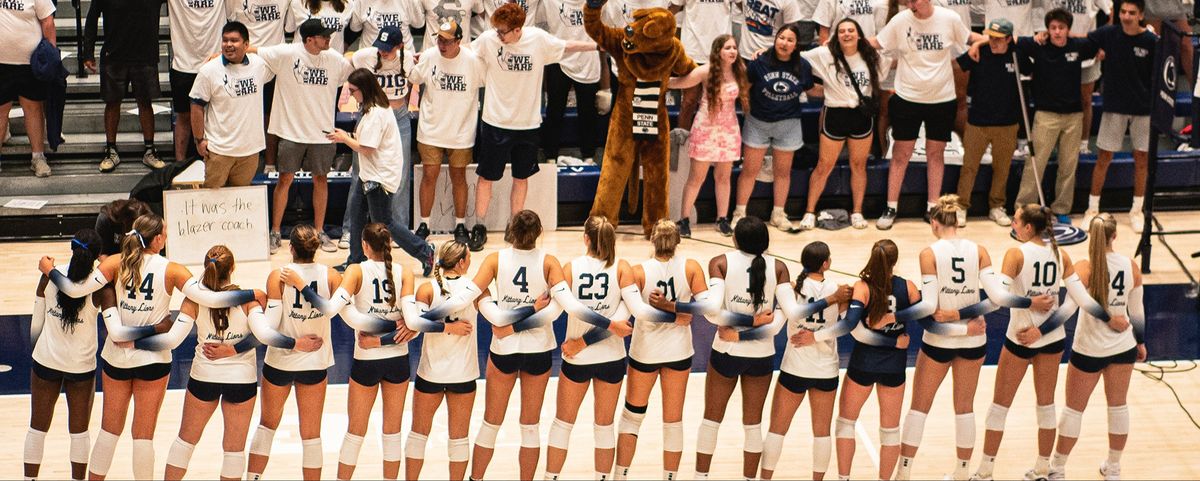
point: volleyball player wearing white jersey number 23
(595, 351)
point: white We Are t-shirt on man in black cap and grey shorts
(305, 92)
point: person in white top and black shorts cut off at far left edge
(23, 25)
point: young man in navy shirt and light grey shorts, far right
(1130, 63)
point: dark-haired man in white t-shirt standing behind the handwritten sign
(227, 111)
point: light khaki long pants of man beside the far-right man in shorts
(1051, 130)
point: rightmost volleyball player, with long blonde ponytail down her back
(1105, 346)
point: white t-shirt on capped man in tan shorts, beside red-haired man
(451, 104)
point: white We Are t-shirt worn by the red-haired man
(513, 85)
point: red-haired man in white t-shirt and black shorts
(517, 57)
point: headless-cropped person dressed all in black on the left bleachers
(127, 61)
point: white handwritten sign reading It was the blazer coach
(201, 219)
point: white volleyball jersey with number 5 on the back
(958, 287)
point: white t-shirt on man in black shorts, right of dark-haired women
(925, 50)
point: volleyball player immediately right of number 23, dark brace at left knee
(661, 347)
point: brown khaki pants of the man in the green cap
(975, 142)
